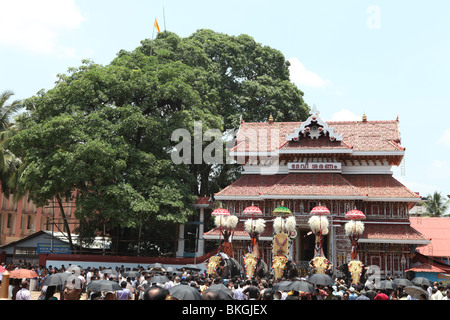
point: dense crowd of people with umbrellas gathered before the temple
(139, 286)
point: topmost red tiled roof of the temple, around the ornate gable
(359, 135)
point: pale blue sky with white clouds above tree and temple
(349, 57)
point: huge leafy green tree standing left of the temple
(105, 131)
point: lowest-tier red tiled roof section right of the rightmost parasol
(388, 233)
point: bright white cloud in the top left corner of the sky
(36, 26)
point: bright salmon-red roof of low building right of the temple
(436, 229)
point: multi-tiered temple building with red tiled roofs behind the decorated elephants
(342, 165)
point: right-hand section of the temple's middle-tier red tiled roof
(380, 186)
